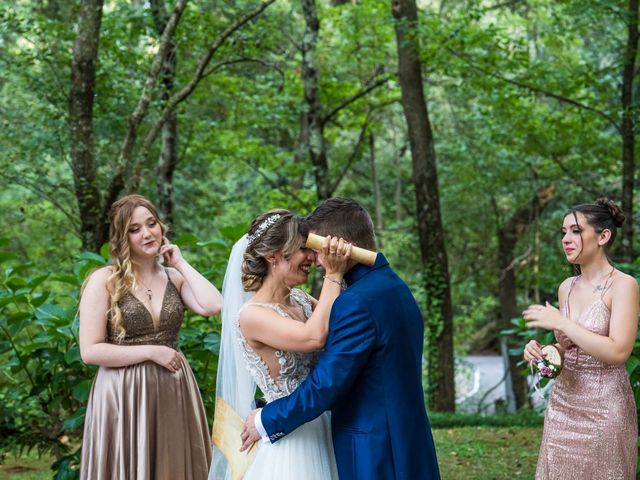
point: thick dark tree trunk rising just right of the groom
(438, 314)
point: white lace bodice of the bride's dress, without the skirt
(294, 366)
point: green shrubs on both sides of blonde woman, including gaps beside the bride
(44, 385)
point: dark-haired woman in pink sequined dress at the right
(590, 426)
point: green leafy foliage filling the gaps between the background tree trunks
(501, 79)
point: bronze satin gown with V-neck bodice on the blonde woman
(144, 422)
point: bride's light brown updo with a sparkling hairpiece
(275, 231)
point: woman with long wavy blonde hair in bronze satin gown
(145, 418)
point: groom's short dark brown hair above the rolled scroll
(342, 217)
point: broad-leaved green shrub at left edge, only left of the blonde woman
(44, 385)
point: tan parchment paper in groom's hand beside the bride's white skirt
(227, 426)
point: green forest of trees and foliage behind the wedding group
(467, 128)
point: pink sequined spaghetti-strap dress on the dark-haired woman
(590, 425)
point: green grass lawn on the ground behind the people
(465, 453)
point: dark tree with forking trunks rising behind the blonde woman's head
(127, 174)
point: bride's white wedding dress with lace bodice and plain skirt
(307, 452)
